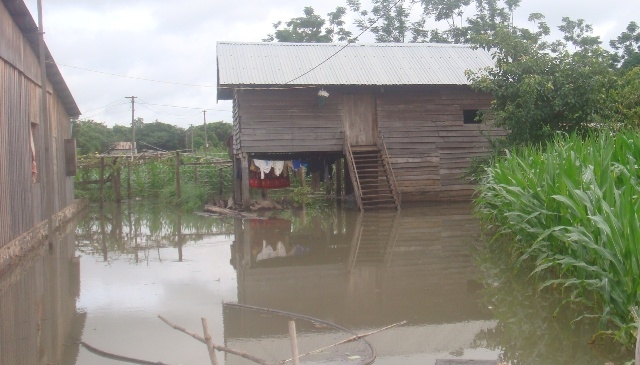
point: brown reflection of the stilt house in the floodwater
(367, 271)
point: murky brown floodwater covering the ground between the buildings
(113, 271)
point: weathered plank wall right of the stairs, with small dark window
(429, 145)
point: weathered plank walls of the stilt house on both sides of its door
(429, 145)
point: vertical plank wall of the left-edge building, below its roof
(21, 201)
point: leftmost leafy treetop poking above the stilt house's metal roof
(309, 28)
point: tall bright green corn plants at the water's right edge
(570, 214)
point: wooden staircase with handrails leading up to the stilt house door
(372, 177)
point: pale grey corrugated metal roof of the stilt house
(355, 64)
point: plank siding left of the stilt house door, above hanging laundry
(276, 121)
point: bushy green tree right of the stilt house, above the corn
(540, 88)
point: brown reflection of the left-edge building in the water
(38, 306)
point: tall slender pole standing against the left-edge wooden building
(48, 182)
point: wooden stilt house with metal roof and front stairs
(402, 115)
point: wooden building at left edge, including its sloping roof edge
(31, 180)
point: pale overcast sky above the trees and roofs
(94, 41)
